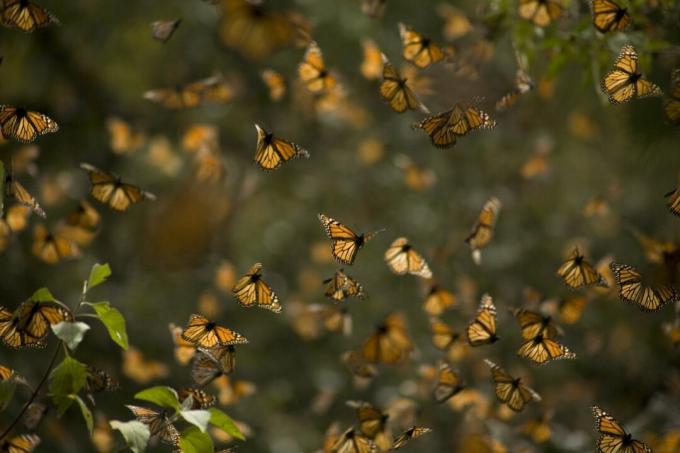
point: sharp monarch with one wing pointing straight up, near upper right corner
(626, 82)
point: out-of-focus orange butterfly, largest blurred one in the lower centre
(390, 343)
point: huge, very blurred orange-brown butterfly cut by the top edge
(252, 30)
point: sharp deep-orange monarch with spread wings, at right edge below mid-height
(633, 288)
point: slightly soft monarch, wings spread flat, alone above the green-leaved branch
(110, 189)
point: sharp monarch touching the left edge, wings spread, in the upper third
(24, 125)
